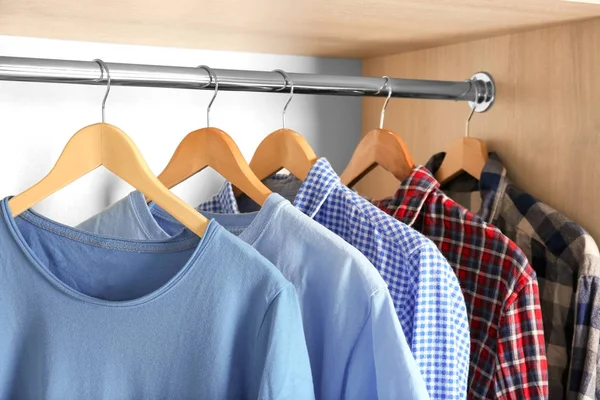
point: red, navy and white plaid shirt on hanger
(508, 359)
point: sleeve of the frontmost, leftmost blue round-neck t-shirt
(282, 365)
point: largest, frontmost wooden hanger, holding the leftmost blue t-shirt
(106, 145)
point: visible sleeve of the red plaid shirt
(522, 369)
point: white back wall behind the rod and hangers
(36, 120)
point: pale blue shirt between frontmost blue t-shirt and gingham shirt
(355, 342)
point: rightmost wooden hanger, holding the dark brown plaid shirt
(465, 155)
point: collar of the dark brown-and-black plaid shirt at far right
(492, 184)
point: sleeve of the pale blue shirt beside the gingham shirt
(381, 365)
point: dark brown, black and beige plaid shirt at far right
(567, 264)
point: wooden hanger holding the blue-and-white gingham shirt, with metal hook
(283, 148)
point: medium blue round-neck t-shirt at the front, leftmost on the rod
(84, 316)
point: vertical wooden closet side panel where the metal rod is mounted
(545, 123)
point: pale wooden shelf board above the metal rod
(341, 28)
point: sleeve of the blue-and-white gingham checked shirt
(441, 341)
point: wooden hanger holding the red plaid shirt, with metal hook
(379, 147)
